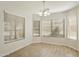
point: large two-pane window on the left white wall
(13, 27)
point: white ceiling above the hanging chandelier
(54, 6)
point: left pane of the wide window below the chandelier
(46, 27)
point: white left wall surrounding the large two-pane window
(8, 48)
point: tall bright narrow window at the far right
(72, 24)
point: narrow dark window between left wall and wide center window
(36, 25)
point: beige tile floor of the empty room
(45, 50)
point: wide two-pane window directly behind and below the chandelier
(53, 27)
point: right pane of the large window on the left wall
(19, 28)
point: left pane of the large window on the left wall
(9, 27)
